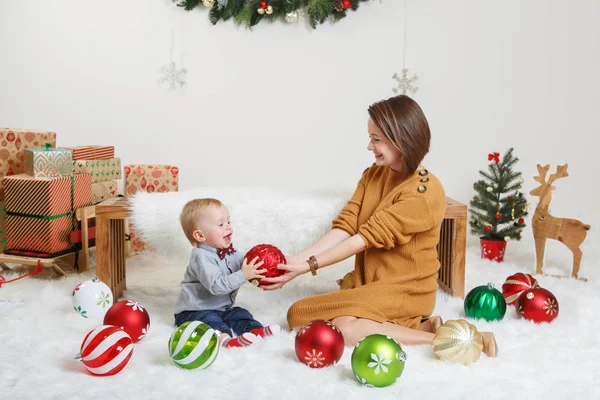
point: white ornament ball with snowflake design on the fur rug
(92, 299)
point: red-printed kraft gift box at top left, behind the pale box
(12, 144)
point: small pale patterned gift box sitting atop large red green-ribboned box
(48, 162)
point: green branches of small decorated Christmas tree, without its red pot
(498, 208)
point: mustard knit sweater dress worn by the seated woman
(395, 277)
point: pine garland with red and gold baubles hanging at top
(250, 12)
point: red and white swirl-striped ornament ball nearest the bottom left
(106, 350)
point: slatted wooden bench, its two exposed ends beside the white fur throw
(111, 250)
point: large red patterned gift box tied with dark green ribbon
(39, 210)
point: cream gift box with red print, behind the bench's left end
(148, 178)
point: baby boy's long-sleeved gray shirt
(210, 283)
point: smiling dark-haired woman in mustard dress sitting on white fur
(392, 225)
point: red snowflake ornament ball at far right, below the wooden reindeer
(537, 305)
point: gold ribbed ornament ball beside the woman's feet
(458, 341)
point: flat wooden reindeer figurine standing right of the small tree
(571, 232)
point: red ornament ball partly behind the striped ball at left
(131, 316)
